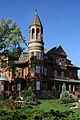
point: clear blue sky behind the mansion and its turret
(60, 19)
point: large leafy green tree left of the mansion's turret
(11, 39)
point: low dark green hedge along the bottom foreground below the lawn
(31, 114)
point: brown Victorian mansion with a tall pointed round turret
(43, 70)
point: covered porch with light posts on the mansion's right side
(56, 84)
